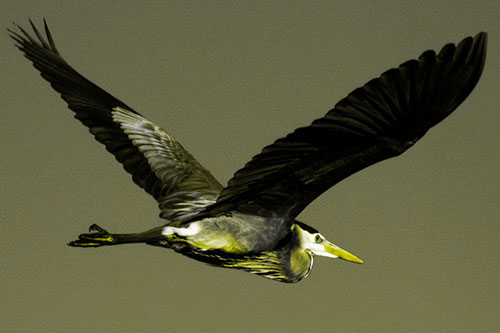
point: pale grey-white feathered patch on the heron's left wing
(188, 187)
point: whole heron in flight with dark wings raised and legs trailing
(250, 224)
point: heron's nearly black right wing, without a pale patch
(382, 119)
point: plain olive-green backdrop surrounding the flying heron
(226, 78)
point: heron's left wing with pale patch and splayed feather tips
(156, 161)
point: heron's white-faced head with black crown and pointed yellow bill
(313, 242)
